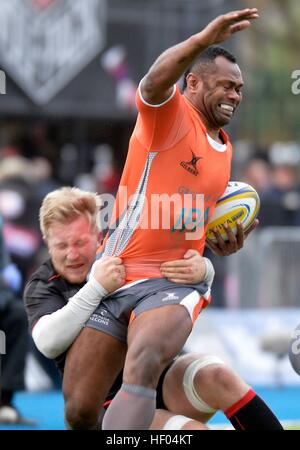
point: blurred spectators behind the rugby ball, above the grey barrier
(274, 173)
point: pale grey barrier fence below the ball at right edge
(266, 273)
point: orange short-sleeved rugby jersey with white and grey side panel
(157, 216)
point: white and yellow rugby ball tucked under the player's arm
(240, 202)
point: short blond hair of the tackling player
(67, 204)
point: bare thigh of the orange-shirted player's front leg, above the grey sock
(163, 329)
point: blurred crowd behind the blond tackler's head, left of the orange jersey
(24, 181)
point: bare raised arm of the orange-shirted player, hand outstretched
(171, 64)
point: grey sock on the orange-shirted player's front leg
(132, 408)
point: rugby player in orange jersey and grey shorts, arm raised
(179, 135)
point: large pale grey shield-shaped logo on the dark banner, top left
(44, 44)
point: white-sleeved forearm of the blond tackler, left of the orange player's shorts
(54, 333)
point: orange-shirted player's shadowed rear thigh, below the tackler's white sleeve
(92, 364)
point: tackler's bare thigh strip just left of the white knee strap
(174, 395)
